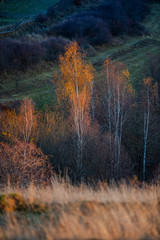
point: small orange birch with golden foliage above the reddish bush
(21, 124)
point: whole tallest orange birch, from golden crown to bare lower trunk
(76, 87)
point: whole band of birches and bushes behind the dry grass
(100, 128)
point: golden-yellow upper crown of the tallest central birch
(76, 75)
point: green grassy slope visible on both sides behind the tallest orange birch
(134, 52)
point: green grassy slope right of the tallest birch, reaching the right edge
(135, 52)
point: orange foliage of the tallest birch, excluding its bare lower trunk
(76, 85)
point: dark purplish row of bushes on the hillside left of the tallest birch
(16, 55)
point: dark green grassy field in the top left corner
(16, 10)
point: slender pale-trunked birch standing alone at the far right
(149, 98)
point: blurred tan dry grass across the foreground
(84, 213)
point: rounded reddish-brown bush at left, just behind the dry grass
(22, 163)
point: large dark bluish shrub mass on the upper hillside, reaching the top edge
(95, 25)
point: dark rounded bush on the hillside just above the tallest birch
(94, 30)
